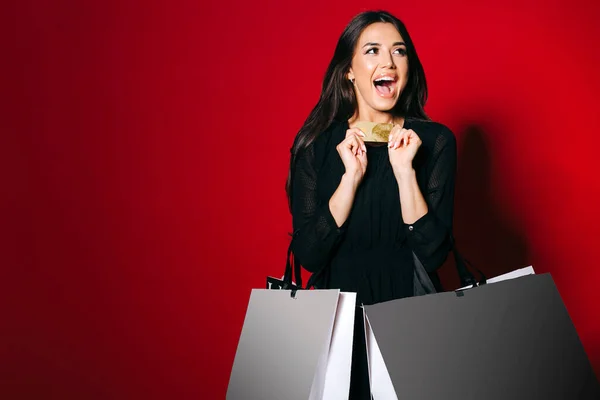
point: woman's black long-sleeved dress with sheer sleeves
(372, 252)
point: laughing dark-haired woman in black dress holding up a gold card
(363, 215)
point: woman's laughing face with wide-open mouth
(379, 68)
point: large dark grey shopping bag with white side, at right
(512, 339)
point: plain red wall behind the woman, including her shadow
(144, 150)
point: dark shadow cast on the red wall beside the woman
(482, 237)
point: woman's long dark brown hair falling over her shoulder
(338, 101)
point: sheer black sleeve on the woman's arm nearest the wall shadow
(429, 237)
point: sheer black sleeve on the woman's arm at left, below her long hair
(315, 230)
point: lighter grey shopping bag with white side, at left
(294, 347)
